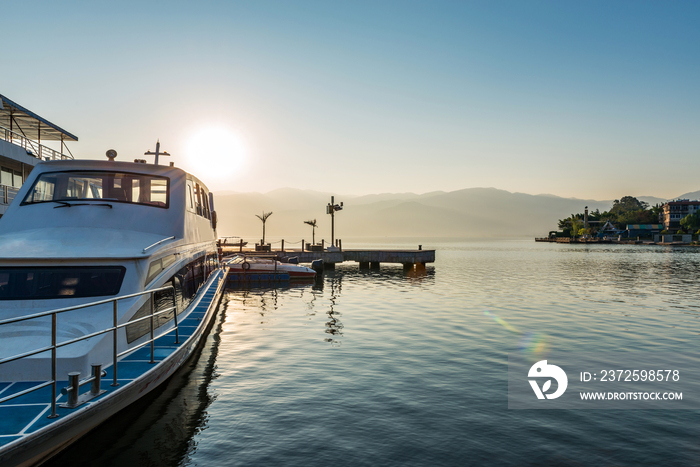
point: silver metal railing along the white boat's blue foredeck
(113, 329)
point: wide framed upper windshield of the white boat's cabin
(106, 186)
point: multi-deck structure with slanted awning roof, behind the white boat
(23, 139)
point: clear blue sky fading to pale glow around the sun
(592, 100)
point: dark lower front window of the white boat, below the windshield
(36, 283)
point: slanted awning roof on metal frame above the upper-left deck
(30, 125)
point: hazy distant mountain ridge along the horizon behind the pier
(471, 212)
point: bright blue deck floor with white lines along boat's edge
(29, 413)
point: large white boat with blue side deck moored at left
(109, 279)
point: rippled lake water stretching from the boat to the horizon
(380, 368)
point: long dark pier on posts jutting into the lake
(367, 259)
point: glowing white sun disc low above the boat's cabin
(216, 151)
